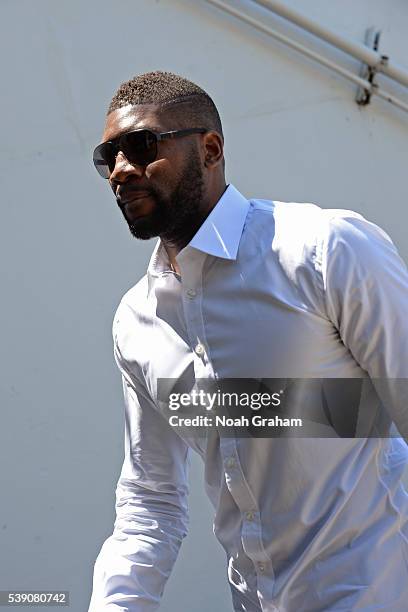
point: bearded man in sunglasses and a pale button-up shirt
(259, 290)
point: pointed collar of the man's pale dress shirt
(219, 235)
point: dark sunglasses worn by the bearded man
(138, 146)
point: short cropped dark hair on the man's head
(196, 108)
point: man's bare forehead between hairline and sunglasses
(133, 118)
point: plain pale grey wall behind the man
(293, 132)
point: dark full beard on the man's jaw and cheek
(175, 217)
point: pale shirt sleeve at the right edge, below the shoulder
(366, 291)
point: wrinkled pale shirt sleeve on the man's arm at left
(135, 562)
